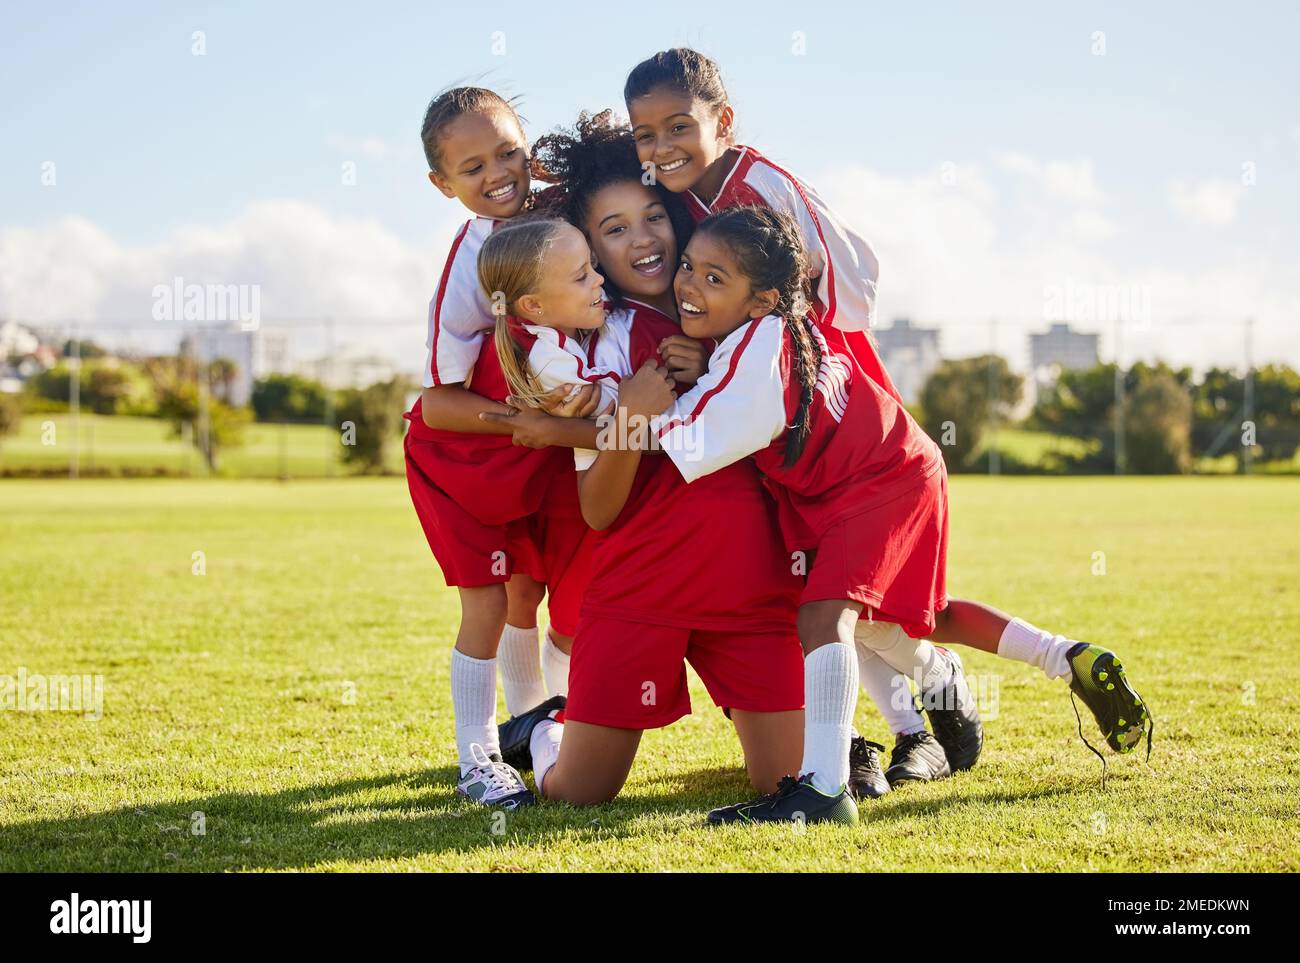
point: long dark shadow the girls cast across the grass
(391, 817)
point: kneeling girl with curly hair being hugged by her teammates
(681, 574)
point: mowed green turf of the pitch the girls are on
(297, 693)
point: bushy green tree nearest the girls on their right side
(960, 401)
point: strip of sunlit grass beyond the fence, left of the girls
(119, 444)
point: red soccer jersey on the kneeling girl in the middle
(700, 557)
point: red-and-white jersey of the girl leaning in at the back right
(840, 261)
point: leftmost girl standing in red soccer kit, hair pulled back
(501, 520)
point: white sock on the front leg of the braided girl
(830, 697)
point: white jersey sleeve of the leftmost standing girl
(460, 314)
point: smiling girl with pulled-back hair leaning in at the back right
(683, 125)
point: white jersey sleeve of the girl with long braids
(735, 410)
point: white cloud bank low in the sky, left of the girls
(307, 264)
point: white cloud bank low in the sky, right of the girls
(952, 257)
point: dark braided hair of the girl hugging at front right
(769, 250)
